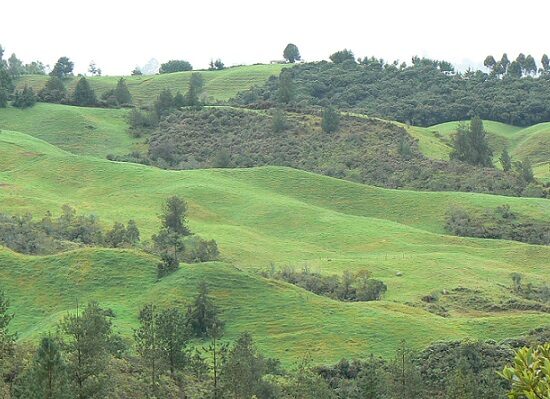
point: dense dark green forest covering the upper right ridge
(425, 93)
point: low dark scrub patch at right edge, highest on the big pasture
(500, 223)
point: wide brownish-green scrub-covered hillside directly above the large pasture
(364, 150)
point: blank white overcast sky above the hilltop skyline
(120, 34)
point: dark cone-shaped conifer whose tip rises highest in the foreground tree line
(202, 315)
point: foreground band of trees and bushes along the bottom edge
(178, 353)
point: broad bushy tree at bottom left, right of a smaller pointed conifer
(87, 339)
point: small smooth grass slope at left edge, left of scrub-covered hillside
(86, 131)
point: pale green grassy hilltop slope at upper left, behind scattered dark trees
(219, 85)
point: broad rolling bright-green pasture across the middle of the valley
(259, 216)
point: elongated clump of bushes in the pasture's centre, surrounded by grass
(352, 287)
